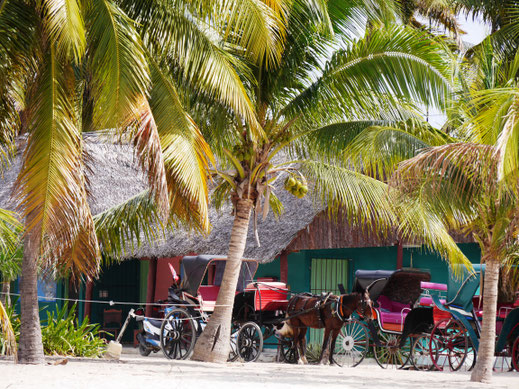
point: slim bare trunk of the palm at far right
(485, 357)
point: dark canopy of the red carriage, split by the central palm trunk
(195, 267)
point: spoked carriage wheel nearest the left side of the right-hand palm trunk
(452, 345)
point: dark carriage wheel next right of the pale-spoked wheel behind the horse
(390, 354)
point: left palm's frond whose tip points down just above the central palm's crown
(197, 52)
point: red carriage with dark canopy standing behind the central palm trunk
(259, 305)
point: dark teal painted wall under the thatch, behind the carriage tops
(370, 258)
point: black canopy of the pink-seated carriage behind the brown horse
(402, 285)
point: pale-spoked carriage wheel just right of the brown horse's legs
(352, 344)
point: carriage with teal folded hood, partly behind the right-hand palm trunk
(454, 340)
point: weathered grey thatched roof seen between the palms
(114, 178)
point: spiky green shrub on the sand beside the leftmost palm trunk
(63, 335)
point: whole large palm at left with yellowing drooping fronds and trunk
(68, 67)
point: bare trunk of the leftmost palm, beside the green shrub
(30, 349)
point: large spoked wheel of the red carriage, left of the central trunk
(177, 334)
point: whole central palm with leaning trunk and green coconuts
(303, 107)
